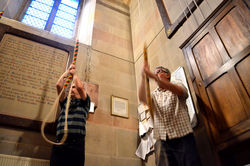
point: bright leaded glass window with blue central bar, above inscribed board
(56, 16)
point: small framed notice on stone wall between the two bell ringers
(119, 106)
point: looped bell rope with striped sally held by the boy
(56, 103)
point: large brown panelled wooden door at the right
(219, 63)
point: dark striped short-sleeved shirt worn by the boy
(77, 115)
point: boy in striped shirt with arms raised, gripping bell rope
(72, 152)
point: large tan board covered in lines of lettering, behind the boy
(28, 75)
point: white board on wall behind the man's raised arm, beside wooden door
(178, 76)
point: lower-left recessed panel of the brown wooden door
(229, 110)
